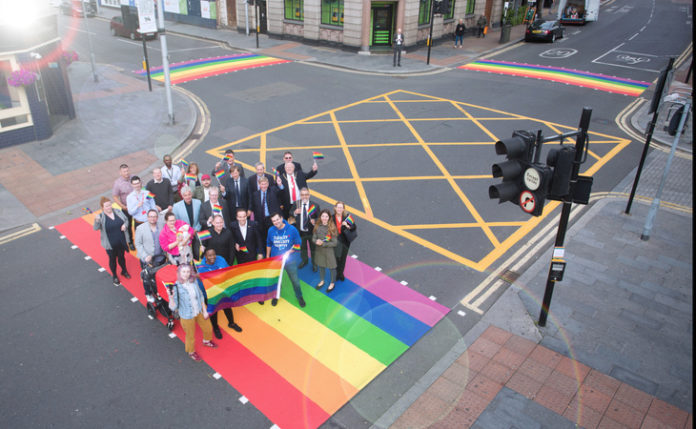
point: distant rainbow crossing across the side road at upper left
(206, 67)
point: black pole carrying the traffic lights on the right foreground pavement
(565, 211)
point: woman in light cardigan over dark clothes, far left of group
(113, 225)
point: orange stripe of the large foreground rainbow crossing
(317, 382)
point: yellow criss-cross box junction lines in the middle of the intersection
(479, 116)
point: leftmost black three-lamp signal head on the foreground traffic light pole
(518, 150)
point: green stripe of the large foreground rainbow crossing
(353, 328)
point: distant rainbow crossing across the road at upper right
(597, 81)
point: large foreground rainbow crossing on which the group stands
(297, 365)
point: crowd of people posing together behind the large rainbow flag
(239, 220)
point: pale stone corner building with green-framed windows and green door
(361, 24)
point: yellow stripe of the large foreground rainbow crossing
(342, 357)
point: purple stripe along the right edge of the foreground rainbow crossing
(396, 294)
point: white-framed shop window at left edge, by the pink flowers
(14, 107)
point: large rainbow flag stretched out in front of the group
(243, 284)
